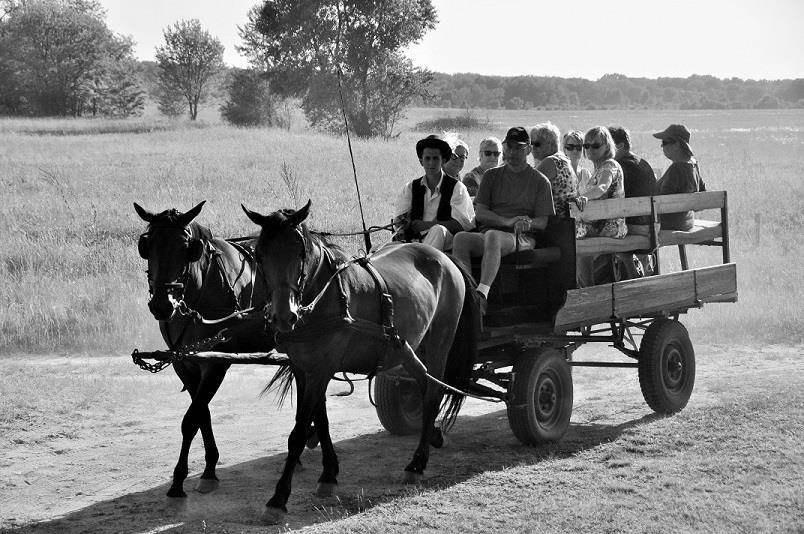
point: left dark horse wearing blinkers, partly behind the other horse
(195, 280)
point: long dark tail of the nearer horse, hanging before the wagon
(463, 352)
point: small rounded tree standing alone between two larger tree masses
(188, 61)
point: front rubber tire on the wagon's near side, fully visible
(545, 373)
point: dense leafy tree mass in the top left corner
(57, 56)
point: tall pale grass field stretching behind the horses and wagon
(71, 280)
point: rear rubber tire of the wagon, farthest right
(666, 366)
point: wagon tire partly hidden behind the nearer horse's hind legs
(399, 405)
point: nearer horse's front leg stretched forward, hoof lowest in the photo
(313, 398)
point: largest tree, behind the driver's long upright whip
(302, 46)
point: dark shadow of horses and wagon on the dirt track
(371, 469)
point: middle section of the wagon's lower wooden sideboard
(652, 293)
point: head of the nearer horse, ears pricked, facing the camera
(283, 251)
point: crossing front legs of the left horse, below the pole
(198, 417)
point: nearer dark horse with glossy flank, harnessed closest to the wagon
(342, 326)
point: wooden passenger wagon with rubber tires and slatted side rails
(537, 317)
